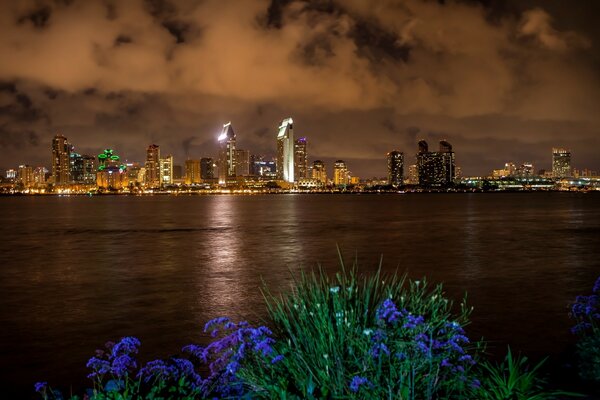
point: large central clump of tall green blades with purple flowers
(364, 337)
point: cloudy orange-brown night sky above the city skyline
(501, 81)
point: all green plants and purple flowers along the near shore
(342, 337)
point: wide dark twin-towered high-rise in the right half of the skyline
(436, 169)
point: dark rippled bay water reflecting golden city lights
(78, 271)
